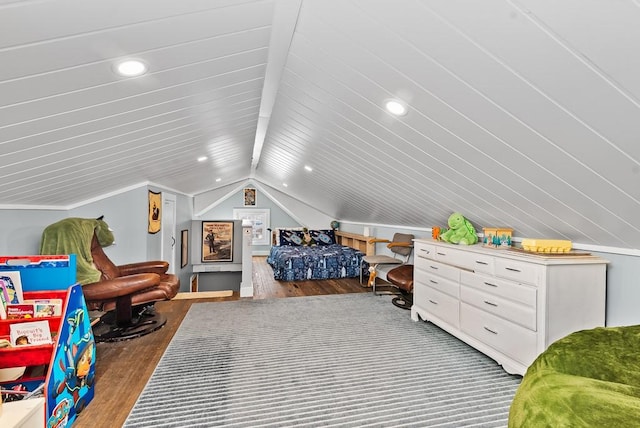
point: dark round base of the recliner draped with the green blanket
(147, 321)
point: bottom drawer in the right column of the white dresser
(517, 342)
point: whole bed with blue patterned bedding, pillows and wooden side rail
(298, 255)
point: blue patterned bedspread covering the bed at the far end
(294, 263)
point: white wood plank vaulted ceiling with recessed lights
(522, 113)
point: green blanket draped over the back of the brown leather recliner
(73, 236)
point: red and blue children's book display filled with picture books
(50, 335)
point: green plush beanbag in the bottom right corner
(590, 378)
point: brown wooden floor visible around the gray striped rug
(123, 368)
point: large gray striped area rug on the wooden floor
(351, 360)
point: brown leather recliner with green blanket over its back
(124, 295)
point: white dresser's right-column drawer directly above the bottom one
(511, 311)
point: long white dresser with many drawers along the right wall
(508, 304)
